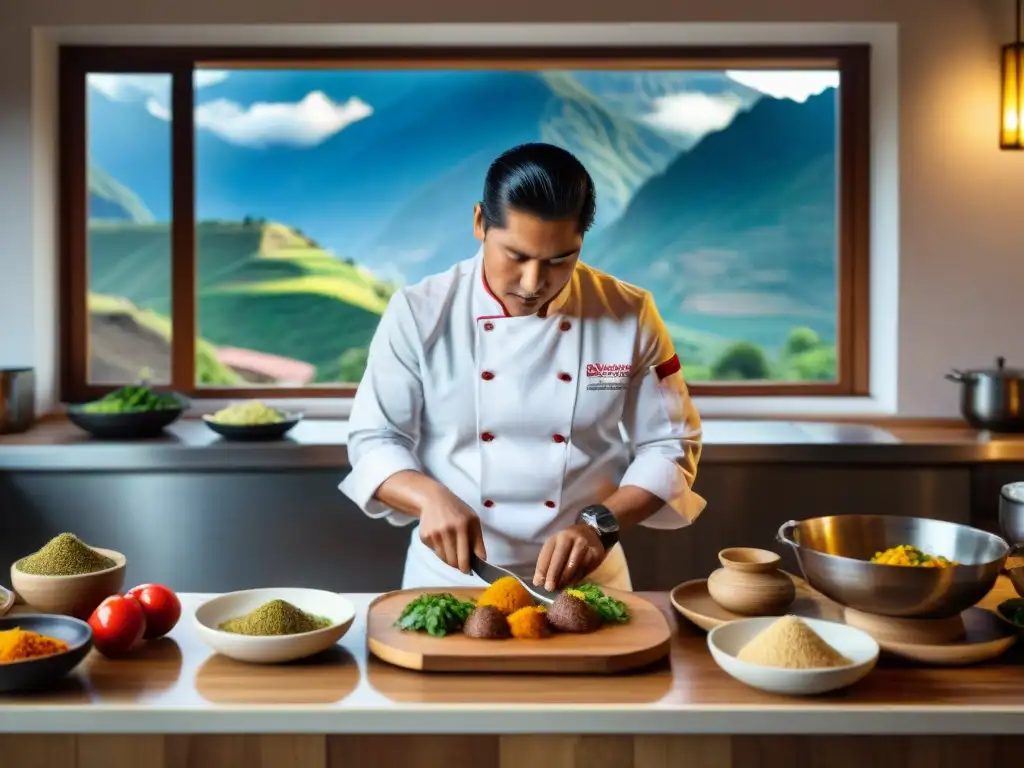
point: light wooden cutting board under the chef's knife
(644, 641)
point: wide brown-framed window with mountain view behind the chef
(237, 221)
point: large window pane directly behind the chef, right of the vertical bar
(320, 192)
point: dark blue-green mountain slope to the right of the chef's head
(745, 221)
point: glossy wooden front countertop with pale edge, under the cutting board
(177, 687)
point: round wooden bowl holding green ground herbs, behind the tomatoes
(72, 595)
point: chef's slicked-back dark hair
(543, 181)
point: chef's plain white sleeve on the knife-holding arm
(385, 424)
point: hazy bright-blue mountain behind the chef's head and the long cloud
(367, 190)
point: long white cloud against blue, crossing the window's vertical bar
(305, 123)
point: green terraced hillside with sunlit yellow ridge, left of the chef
(262, 286)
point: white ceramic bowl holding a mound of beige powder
(727, 641)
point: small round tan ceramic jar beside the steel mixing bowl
(750, 583)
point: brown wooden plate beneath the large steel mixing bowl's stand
(986, 637)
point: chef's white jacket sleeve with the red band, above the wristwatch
(664, 426)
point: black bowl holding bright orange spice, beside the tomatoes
(36, 674)
